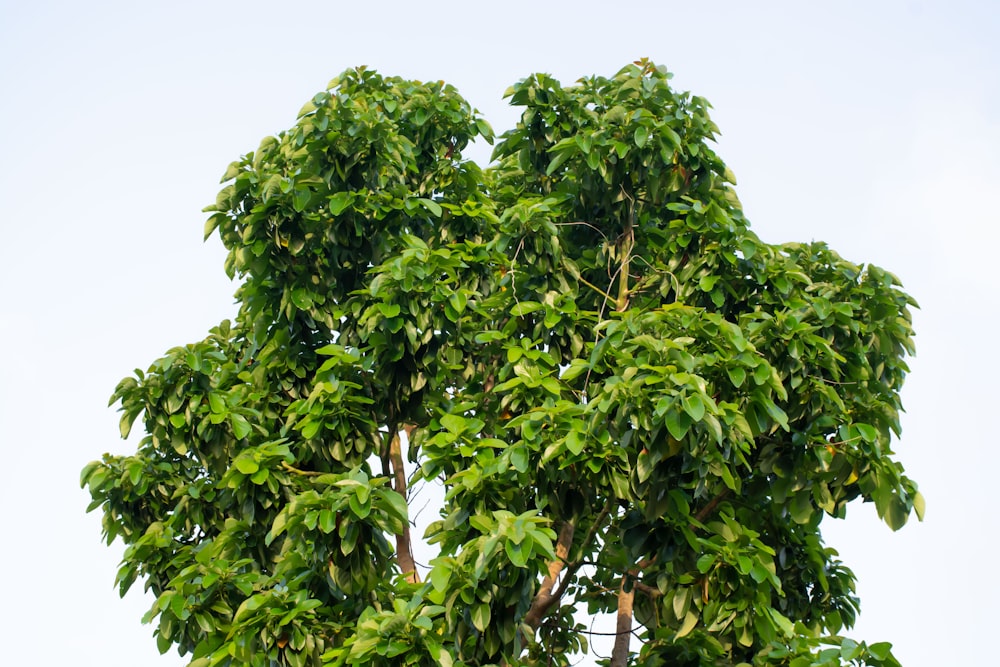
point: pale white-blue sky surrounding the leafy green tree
(874, 126)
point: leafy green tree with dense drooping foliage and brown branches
(634, 404)
